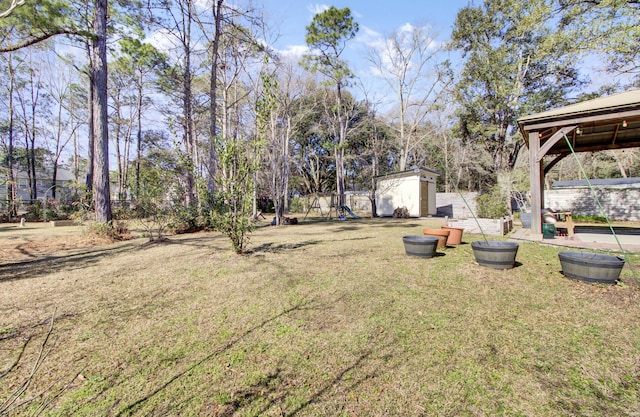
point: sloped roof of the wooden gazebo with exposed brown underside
(611, 122)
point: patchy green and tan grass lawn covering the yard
(320, 319)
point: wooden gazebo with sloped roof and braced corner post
(611, 122)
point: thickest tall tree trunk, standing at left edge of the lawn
(101, 189)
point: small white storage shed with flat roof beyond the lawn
(414, 189)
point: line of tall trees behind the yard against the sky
(197, 107)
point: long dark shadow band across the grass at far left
(42, 266)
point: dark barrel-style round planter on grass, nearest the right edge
(591, 267)
